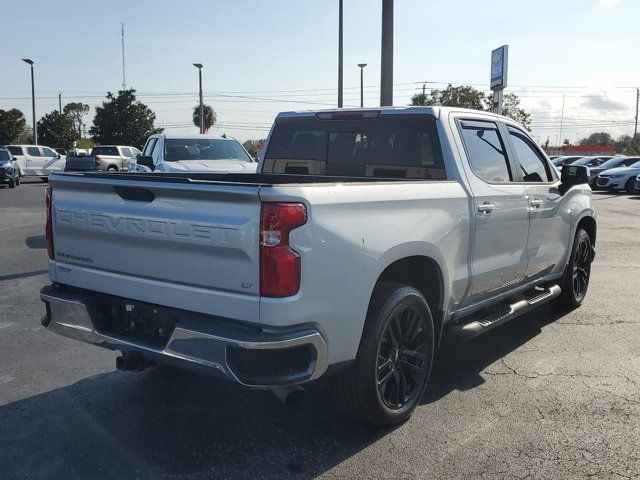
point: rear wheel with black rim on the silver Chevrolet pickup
(372, 389)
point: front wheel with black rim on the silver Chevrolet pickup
(579, 261)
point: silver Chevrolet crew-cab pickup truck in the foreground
(365, 236)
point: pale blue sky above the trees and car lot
(262, 57)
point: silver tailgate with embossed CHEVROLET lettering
(189, 245)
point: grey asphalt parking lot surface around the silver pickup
(553, 394)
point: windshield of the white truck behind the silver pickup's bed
(204, 149)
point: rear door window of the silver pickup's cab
(485, 151)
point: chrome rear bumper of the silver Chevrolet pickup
(197, 344)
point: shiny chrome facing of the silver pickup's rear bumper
(190, 343)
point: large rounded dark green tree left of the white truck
(123, 120)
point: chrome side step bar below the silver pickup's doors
(482, 322)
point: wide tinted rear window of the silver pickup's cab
(391, 146)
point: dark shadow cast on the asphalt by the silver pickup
(163, 423)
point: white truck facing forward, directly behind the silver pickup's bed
(194, 153)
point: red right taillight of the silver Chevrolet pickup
(279, 263)
